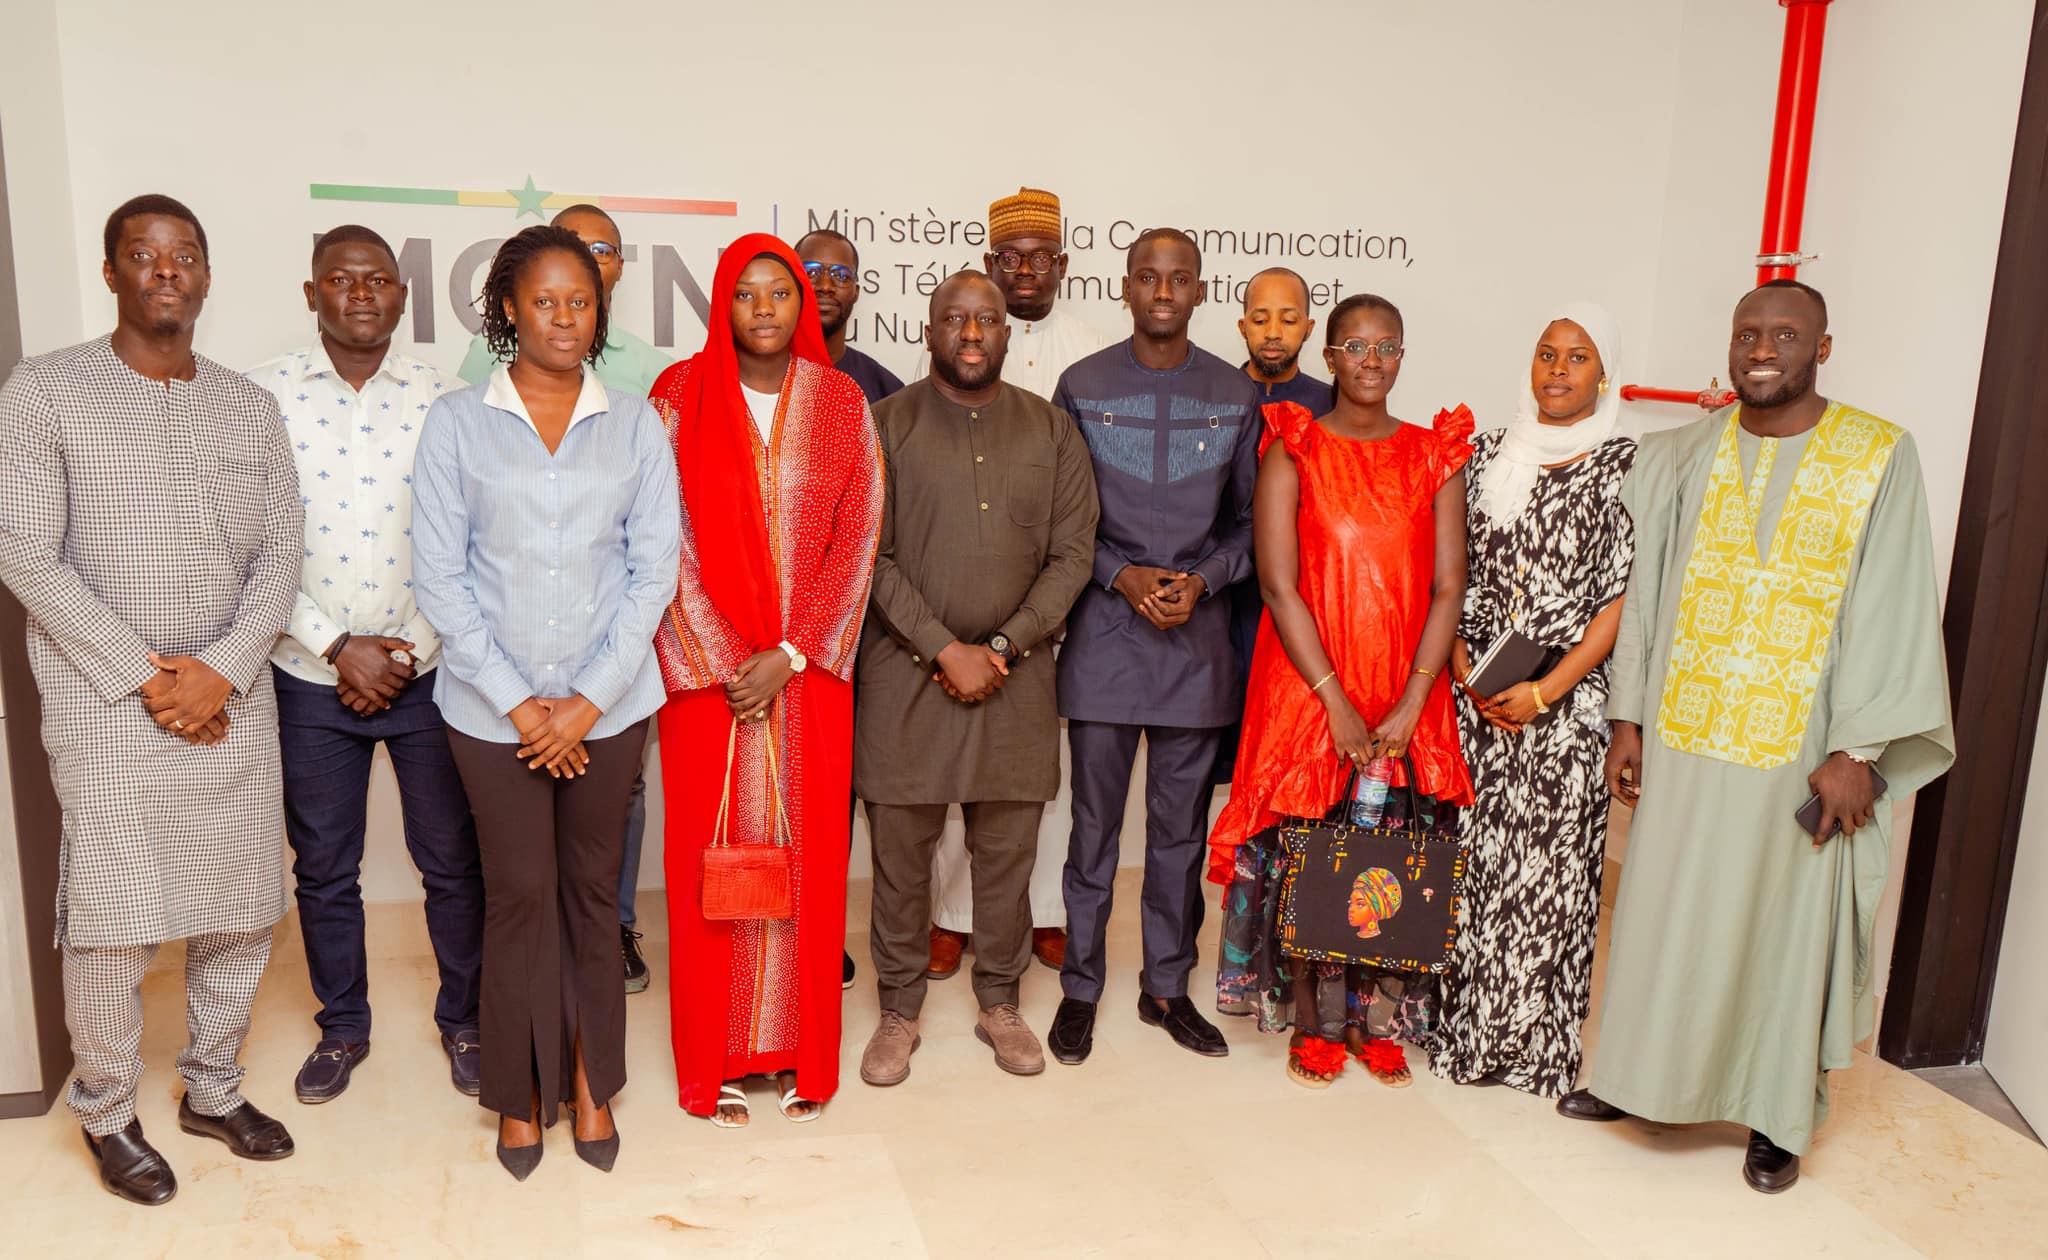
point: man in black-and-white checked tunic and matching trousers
(151, 526)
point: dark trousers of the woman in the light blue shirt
(552, 851)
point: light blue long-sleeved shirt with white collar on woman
(544, 575)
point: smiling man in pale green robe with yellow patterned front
(1781, 638)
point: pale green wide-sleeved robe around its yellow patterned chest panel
(1740, 968)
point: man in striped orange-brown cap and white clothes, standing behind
(1029, 263)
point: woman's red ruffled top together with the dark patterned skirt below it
(1367, 544)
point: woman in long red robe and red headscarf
(781, 507)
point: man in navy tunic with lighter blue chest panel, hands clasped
(1175, 433)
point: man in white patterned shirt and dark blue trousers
(351, 667)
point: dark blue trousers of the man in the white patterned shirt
(329, 751)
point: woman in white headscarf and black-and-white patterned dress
(1549, 554)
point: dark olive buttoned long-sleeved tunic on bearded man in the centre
(988, 526)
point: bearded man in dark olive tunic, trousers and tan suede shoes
(988, 538)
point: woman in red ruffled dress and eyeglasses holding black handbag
(1359, 523)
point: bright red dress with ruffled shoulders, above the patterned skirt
(1367, 542)
